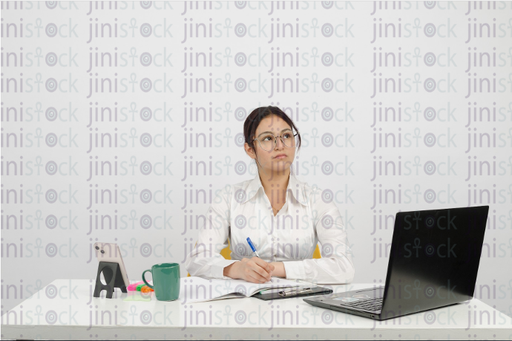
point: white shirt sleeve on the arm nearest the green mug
(205, 259)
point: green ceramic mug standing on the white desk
(166, 281)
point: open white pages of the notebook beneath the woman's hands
(197, 289)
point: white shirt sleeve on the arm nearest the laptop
(336, 264)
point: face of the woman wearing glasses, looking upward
(267, 159)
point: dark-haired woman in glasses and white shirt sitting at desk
(284, 217)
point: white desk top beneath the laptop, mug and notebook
(66, 309)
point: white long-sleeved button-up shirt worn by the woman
(308, 216)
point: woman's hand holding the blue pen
(254, 270)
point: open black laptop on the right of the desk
(433, 263)
